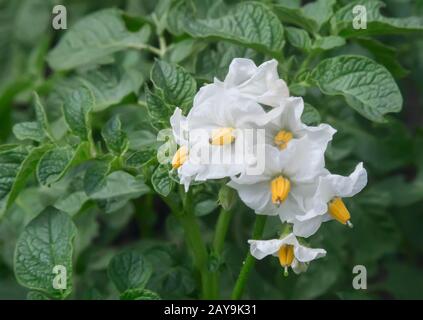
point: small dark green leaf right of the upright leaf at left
(115, 138)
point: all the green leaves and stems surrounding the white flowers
(81, 185)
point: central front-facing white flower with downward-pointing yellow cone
(279, 190)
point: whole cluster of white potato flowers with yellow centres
(247, 128)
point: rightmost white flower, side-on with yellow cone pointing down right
(324, 201)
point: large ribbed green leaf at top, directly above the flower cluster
(249, 23)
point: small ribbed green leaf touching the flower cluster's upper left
(177, 85)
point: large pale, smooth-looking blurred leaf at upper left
(94, 37)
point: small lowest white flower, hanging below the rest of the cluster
(289, 251)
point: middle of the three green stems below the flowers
(222, 226)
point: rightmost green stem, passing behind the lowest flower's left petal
(249, 260)
